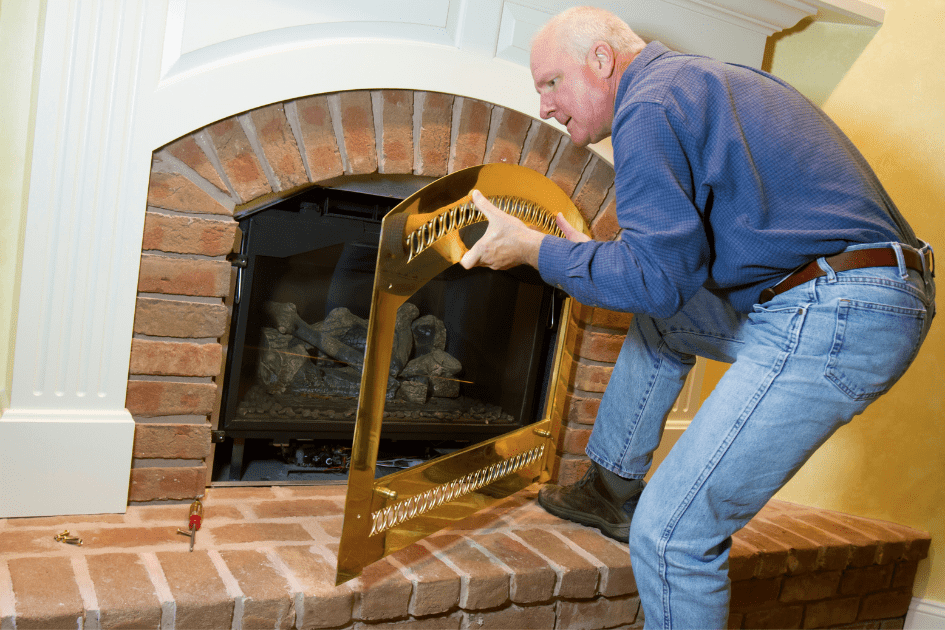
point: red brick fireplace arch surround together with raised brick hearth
(265, 556)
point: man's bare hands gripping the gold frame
(509, 242)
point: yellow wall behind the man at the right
(888, 463)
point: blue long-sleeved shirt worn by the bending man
(726, 177)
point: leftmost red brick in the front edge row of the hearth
(47, 595)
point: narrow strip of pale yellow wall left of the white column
(19, 25)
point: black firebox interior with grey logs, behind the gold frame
(472, 354)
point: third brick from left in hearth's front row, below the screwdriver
(199, 593)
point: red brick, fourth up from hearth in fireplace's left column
(169, 358)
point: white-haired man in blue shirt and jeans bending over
(753, 232)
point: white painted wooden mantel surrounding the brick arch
(119, 78)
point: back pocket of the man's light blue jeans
(873, 346)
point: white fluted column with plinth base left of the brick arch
(66, 438)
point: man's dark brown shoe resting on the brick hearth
(600, 499)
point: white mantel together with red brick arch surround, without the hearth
(119, 117)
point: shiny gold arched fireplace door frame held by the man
(419, 239)
